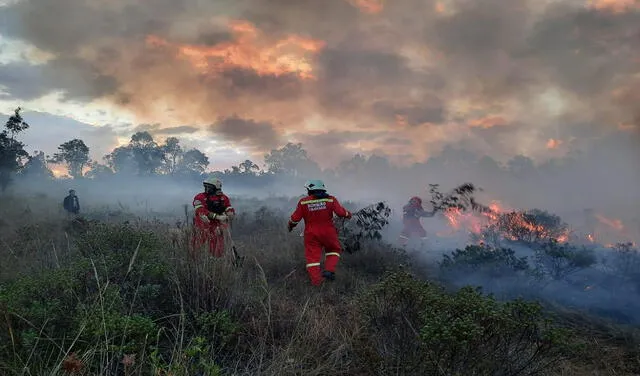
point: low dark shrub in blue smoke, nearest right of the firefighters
(493, 262)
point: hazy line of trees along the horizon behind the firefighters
(144, 156)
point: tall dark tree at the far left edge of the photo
(12, 154)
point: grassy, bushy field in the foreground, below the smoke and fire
(116, 293)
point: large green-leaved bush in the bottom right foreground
(415, 327)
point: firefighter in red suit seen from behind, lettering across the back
(317, 210)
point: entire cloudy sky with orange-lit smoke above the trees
(401, 78)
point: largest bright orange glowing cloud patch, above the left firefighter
(250, 49)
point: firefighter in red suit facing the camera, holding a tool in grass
(213, 211)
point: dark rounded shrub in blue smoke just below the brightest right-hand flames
(561, 260)
